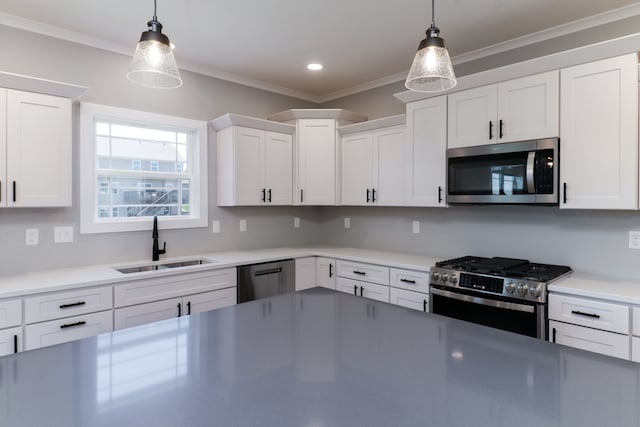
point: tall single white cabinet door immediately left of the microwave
(427, 152)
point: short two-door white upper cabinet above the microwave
(515, 110)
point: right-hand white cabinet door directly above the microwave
(529, 108)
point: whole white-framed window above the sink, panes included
(154, 165)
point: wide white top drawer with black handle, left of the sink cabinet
(58, 305)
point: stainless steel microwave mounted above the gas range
(511, 173)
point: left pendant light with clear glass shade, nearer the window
(153, 64)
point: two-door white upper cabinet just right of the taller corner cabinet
(374, 162)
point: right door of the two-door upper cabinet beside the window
(278, 168)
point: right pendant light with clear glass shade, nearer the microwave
(431, 70)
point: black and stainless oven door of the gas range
(522, 317)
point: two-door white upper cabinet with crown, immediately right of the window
(254, 161)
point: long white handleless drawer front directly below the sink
(149, 290)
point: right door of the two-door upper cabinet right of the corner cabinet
(389, 166)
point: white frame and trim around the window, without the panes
(89, 221)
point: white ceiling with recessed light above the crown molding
(268, 43)
